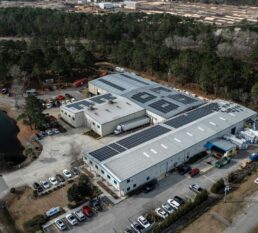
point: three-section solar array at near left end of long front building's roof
(113, 149)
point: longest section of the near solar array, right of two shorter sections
(143, 136)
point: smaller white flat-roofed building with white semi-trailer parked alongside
(101, 113)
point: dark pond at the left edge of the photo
(10, 147)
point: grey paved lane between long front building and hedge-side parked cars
(118, 217)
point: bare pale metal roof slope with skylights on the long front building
(133, 161)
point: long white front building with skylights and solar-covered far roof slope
(149, 154)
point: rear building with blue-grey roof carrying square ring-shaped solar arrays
(160, 102)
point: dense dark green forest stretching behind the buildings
(67, 45)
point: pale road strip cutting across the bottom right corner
(246, 221)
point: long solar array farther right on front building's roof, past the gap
(192, 116)
